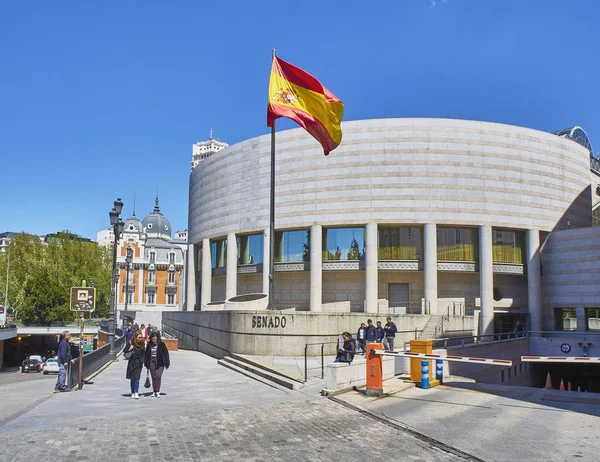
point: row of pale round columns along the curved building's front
(486, 272)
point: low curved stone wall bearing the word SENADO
(285, 334)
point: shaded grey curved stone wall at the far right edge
(570, 272)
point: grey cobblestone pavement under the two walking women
(207, 413)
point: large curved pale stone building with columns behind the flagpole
(406, 216)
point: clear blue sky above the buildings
(105, 99)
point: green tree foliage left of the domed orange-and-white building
(41, 276)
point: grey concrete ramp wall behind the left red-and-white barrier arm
(507, 349)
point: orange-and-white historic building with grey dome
(156, 273)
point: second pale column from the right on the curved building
(486, 280)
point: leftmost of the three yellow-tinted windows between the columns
(404, 243)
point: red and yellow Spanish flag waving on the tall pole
(297, 95)
